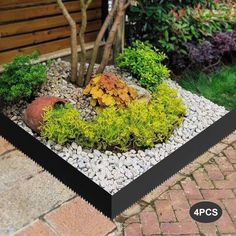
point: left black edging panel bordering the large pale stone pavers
(58, 167)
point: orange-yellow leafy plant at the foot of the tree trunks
(109, 90)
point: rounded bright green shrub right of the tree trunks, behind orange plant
(144, 61)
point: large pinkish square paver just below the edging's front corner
(78, 218)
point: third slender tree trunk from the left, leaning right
(99, 38)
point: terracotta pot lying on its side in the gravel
(33, 115)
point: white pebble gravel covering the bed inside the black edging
(113, 171)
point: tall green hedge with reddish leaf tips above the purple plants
(171, 23)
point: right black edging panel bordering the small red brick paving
(173, 163)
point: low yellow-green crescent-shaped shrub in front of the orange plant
(137, 126)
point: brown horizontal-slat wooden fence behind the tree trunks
(29, 25)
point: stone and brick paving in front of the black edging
(32, 202)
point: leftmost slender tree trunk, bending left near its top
(74, 54)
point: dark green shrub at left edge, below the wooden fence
(20, 78)
